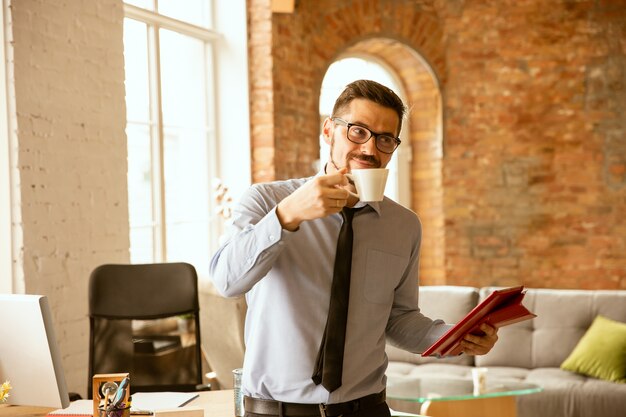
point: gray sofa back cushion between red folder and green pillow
(563, 316)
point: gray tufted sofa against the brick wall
(530, 351)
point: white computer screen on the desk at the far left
(29, 356)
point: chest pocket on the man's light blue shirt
(383, 272)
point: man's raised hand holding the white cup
(317, 198)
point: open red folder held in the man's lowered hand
(500, 308)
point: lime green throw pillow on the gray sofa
(601, 352)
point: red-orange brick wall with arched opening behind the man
(531, 185)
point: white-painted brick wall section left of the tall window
(68, 84)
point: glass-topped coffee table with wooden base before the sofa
(453, 396)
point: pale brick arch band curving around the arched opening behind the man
(424, 124)
